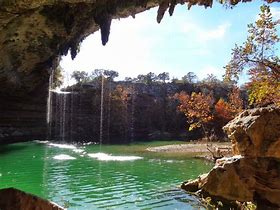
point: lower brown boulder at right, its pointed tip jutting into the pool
(241, 179)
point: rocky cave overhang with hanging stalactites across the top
(35, 34)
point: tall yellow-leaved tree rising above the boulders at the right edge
(257, 56)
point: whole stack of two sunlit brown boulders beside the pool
(254, 174)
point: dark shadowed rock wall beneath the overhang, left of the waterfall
(22, 118)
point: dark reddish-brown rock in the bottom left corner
(12, 198)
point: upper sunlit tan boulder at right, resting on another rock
(256, 132)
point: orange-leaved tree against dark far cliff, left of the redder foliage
(197, 108)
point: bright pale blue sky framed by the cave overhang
(197, 40)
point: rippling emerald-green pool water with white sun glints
(82, 178)
